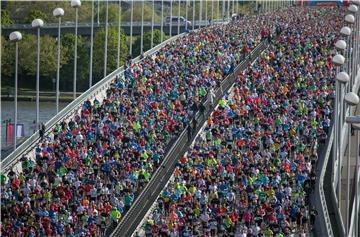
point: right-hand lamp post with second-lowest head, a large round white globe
(352, 100)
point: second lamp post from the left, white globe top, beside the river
(37, 23)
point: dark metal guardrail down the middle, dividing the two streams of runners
(146, 198)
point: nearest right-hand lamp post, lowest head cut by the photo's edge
(355, 122)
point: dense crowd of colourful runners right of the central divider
(251, 170)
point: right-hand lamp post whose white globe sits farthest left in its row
(338, 60)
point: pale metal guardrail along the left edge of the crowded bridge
(71, 109)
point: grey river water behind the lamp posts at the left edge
(26, 115)
